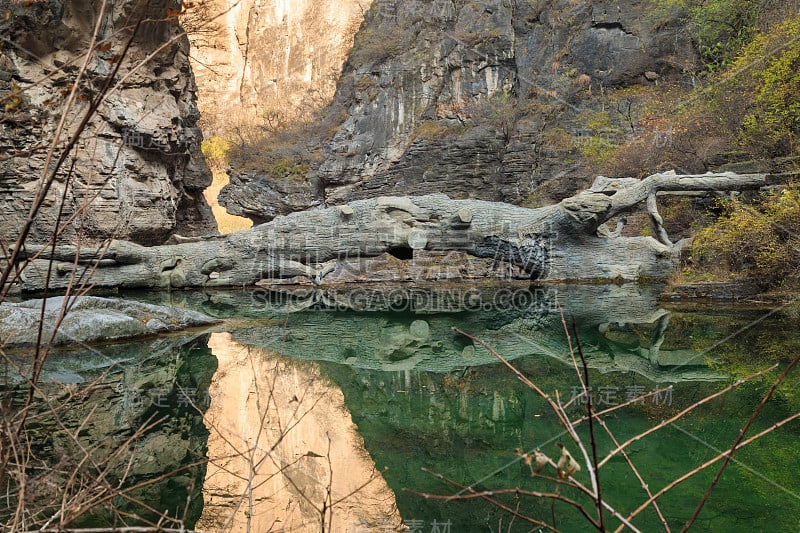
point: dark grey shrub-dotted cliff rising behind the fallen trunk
(496, 100)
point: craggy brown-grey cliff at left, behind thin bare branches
(135, 172)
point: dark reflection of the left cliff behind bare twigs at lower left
(137, 409)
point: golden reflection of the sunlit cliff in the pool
(283, 451)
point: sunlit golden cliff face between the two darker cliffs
(260, 60)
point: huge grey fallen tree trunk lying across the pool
(565, 241)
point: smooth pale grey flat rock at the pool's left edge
(89, 319)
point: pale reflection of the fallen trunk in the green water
(398, 328)
